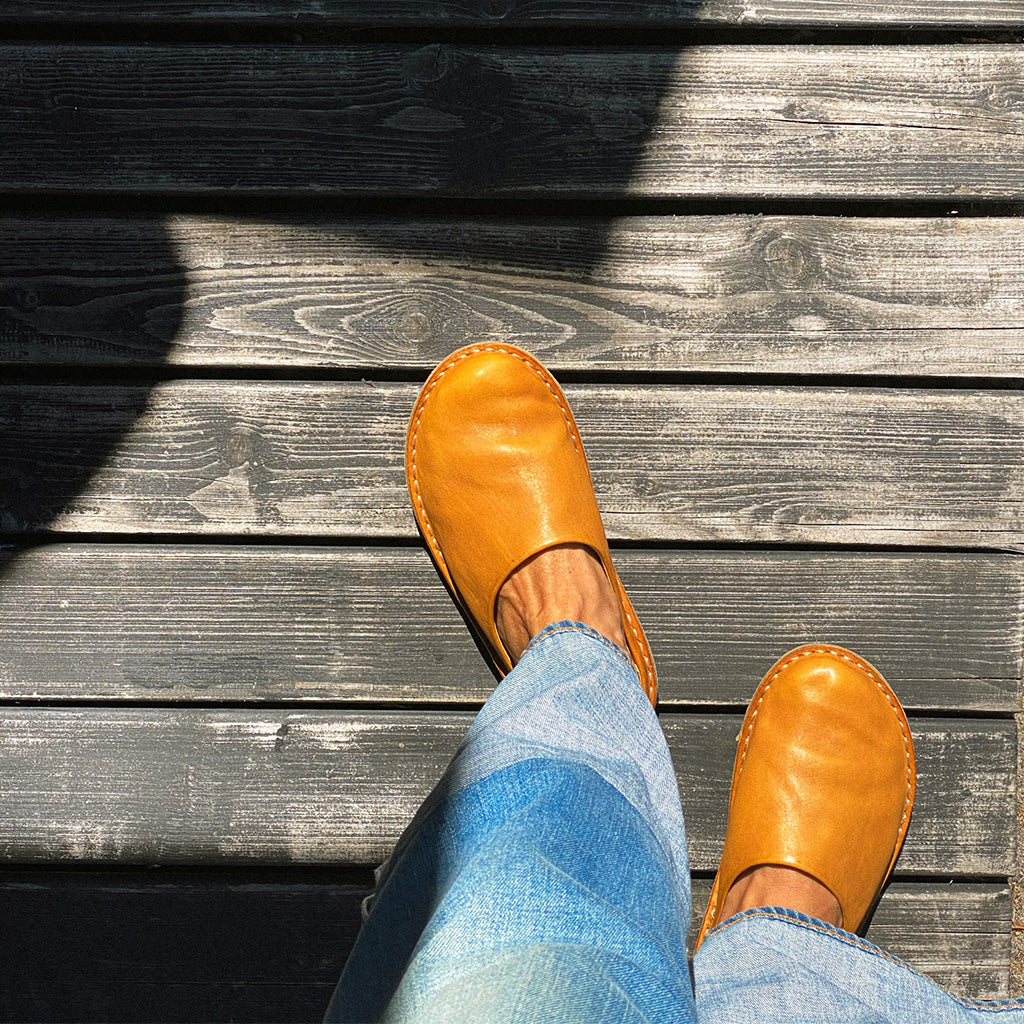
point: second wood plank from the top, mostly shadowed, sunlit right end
(743, 122)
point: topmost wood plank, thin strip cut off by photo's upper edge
(666, 14)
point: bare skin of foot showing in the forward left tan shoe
(566, 582)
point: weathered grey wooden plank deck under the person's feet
(773, 250)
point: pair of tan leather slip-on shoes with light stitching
(825, 774)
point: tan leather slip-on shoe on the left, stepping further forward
(497, 474)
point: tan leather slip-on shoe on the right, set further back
(824, 781)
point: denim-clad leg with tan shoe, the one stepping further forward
(523, 891)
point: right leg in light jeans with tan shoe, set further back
(824, 785)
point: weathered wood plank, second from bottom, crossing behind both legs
(197, 786)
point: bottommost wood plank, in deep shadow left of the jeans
(123, 947)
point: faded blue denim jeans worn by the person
(546, 880)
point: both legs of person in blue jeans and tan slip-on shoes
(546, 877)
